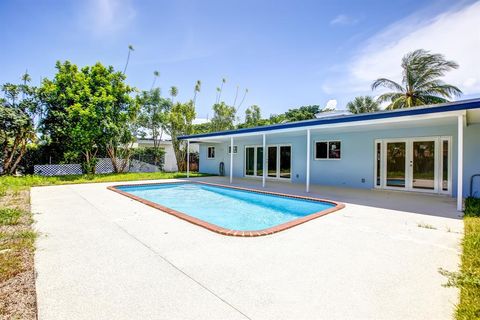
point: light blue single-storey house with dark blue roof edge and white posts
(434, 149)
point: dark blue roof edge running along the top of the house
(347, 120)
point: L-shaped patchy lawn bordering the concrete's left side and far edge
(17, 237)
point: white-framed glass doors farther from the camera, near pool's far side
(278, 158)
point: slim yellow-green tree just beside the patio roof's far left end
(179, 123)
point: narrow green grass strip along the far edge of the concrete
(15, 184)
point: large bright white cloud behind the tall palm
(455, 34)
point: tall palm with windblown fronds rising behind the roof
(421, 82)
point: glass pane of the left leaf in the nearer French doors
(396, 164)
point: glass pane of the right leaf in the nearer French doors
(423, 165)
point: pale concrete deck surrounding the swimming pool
(104, 256)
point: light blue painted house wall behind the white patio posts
(356, 167)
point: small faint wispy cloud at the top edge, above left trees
(103, 17)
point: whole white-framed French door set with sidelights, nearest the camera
(414, 164)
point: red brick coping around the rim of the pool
(229, 232)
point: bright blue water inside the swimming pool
(225, 207)
